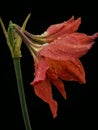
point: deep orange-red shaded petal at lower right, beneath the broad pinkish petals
(72, 70)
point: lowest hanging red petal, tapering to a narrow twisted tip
(44, 91)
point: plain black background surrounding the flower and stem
(80, 108)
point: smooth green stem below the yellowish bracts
(18, 73)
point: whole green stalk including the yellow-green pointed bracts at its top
(14, 43)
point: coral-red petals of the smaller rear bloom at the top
(63, 28)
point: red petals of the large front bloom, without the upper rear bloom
(59, 60)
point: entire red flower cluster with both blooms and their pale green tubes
(56, 56)
